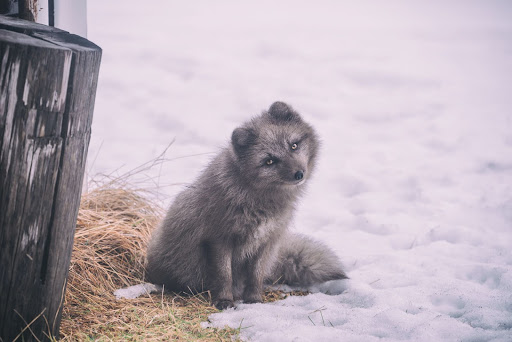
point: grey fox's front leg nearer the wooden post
(219, 274)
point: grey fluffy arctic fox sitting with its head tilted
(227, 232)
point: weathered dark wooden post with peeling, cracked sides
(48, 81)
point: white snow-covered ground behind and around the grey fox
(413, 102)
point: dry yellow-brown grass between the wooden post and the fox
(113, 228)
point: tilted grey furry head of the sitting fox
(276, 148)
